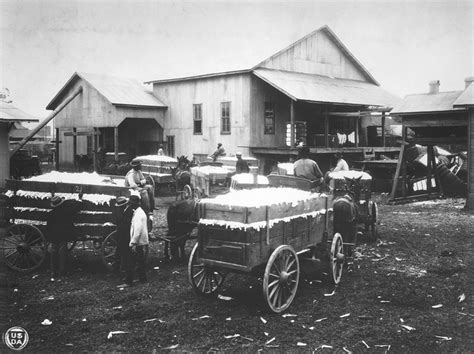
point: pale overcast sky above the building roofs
(403, 44)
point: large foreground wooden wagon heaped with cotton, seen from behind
(266, 239)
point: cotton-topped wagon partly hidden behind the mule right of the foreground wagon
(367, 208)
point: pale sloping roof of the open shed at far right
(427, 102)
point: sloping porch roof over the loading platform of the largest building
(316, 88)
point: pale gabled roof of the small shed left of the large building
(118, 91)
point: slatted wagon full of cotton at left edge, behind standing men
(24, 246)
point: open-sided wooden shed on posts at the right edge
(437, 119)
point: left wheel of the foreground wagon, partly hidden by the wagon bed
(204, 280)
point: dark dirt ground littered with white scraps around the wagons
(411, 291)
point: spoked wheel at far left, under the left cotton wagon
(23, 247)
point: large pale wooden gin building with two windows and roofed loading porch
(313, 91)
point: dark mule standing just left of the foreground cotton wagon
(182, 217)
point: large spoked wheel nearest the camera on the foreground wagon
(281, 278)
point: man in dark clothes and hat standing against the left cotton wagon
(59, 230)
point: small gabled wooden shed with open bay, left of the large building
(103, 113)
